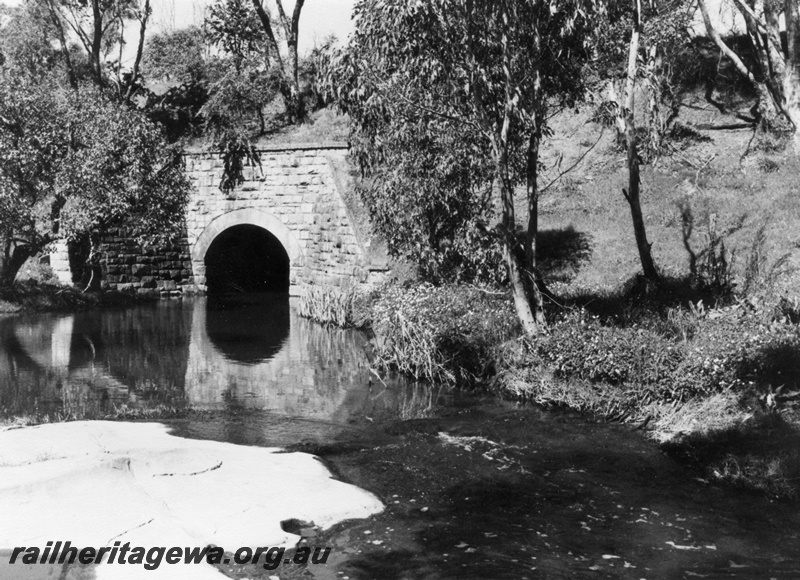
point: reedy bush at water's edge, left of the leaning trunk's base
(446, 334)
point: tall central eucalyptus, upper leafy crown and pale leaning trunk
(490, 70)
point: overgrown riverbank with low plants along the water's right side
(712, 379)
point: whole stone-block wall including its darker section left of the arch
(292, 193)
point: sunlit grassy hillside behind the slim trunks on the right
(715, 170)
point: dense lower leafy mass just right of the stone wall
(430, 198)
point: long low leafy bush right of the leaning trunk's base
(746, 348)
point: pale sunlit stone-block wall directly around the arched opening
(293, 194)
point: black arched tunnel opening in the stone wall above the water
(246, 258)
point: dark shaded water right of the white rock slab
(521, 493)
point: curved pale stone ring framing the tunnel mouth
(246, 217)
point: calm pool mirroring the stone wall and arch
(244, 355)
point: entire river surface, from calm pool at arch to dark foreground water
(474, 487)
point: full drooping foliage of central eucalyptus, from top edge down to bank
(447, 98)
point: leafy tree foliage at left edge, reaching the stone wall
(76, 162)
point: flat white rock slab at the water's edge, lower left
(94, 483)
